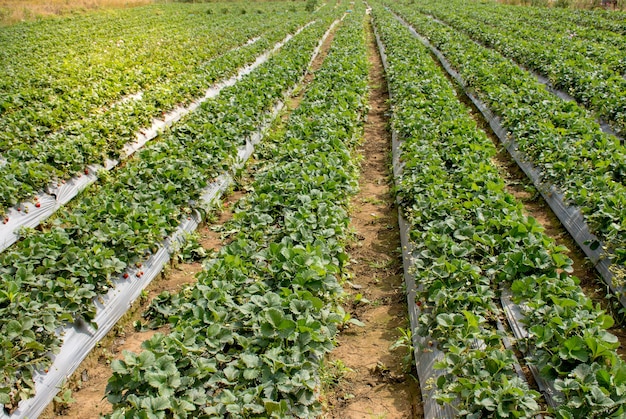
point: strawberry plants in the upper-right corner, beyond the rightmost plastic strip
(592, 74)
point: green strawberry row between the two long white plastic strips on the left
(52, 275)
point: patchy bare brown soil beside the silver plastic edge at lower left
(89, 382)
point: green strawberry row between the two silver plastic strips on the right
(557, 137)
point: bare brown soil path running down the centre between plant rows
(372, 379)
